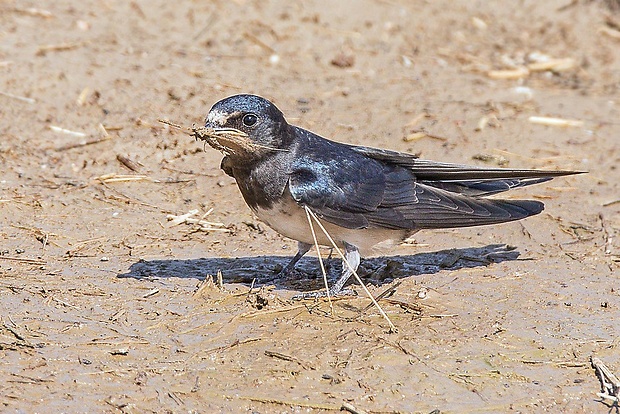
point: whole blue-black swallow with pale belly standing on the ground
(364, 196)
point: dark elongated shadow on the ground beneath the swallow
(307, 274)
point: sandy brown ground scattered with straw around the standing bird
(106, 307)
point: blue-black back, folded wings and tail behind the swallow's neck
(359, 187)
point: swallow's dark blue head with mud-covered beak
(246, 127)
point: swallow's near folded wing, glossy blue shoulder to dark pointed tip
(361, 192)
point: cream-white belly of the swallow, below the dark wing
(290, 220)
